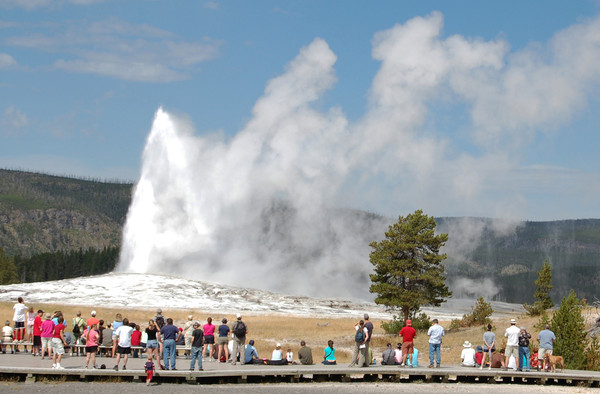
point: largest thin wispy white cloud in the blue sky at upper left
(119, 49)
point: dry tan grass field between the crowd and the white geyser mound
(267, 330)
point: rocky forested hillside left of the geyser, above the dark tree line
(42, 213)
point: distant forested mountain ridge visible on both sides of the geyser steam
(44, 213)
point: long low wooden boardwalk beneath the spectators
(26, 368)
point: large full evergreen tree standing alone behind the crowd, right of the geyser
(408, 266)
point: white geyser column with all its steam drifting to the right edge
(264, 208)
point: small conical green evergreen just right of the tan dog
(569, 327)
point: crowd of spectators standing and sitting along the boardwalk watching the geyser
(48, 336)
